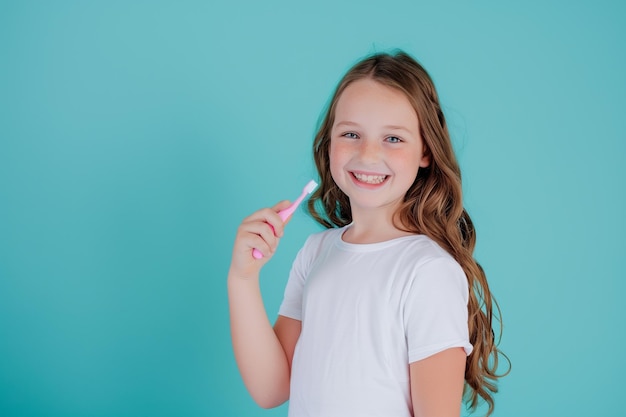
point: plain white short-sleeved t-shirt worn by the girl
(367, 312)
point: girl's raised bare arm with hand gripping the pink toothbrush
(260, 356)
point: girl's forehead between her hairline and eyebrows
(368, 101)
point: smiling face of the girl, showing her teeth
(375, 147)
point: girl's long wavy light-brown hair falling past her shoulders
(433, 206)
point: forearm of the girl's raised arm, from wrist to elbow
(260, 357)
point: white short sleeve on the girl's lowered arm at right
(435, 310)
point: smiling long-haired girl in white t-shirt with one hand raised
(386, 313)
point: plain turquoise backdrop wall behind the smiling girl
(135, 136)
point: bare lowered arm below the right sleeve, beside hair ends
(437, 384)
